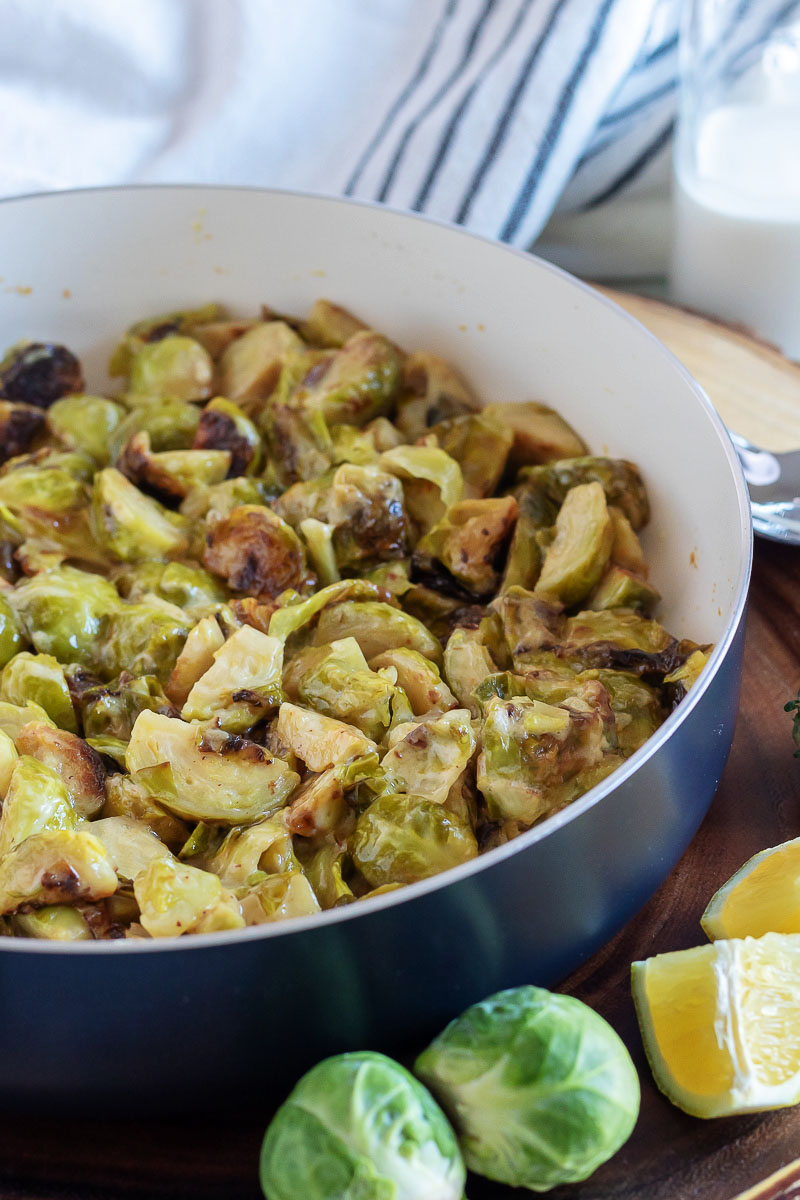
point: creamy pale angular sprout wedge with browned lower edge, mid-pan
(243, 686)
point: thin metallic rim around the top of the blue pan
(558, 820)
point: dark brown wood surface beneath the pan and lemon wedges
(101, 1156)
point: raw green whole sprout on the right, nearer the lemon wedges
(539, 1087)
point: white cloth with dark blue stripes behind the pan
(491, 113)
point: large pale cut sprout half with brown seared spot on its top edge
(202, 777)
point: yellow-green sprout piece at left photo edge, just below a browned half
(37, 799)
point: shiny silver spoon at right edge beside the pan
(774, 484)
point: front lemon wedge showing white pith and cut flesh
(721, 1024)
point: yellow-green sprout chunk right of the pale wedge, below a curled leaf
(339, 683)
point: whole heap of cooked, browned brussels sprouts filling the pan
(293, 621)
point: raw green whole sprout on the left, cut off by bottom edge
(360, 1127)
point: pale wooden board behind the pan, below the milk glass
(754, 388)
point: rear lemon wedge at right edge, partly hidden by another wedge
(762, 898)
